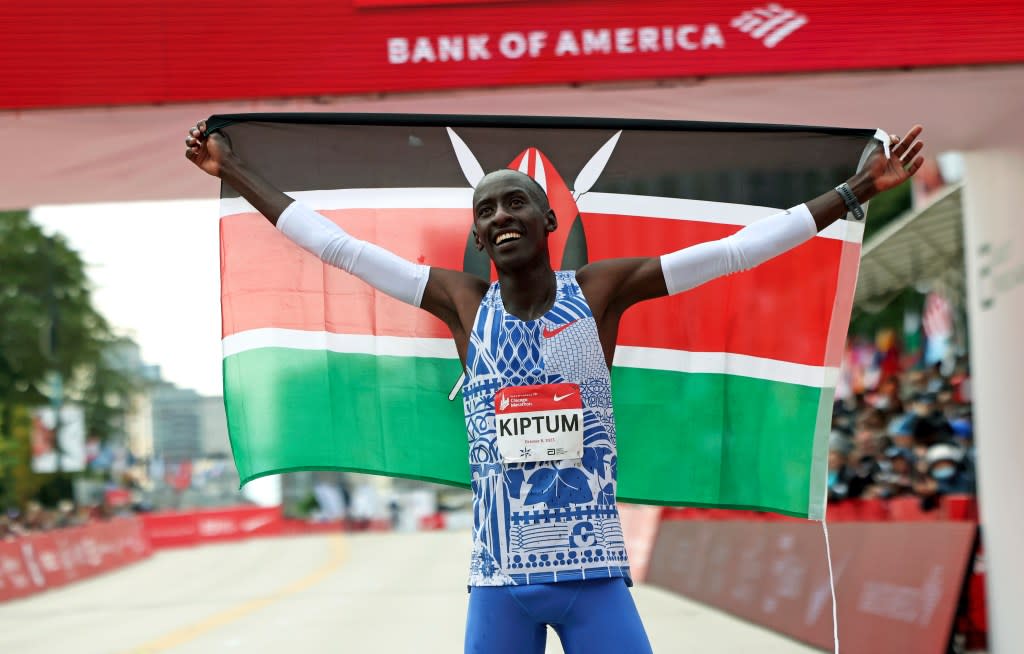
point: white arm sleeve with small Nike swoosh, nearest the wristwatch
(750, 247)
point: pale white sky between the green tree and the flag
(155, 271)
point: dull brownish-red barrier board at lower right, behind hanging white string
(898, 585)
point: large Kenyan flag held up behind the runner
(723, 395)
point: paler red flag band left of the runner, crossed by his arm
(269, 282)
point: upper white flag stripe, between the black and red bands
(594, 203)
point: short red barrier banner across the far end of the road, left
(216, 526)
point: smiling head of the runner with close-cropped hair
(513, 220)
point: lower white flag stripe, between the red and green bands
(626, 357)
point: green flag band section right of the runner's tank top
(747, 444)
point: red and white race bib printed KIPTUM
(539, 423)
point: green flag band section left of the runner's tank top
(293, 410)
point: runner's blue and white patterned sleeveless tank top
(551, 521)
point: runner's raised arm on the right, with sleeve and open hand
(616, 285)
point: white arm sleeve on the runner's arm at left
(382, 270)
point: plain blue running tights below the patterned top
(593, 618)
